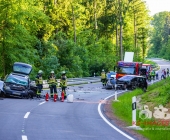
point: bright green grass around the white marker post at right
(157, 94)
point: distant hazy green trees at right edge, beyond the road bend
(160, 36)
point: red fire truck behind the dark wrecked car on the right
(130, 68)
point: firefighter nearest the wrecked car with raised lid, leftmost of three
(39, 83)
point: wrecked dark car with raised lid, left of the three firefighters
(18, 82)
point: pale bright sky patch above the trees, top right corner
(156, 6)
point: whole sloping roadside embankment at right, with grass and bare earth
(153, 114)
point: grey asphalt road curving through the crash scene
(25, 119)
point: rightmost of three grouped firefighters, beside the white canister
(63, 83)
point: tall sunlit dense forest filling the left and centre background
(81, 37)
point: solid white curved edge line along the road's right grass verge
(114, 127)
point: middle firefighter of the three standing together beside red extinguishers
(52, 84)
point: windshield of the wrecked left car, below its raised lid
(17, 80)
